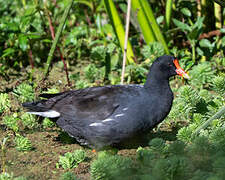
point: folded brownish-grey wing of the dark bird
(96, 103)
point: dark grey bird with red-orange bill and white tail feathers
(105, 116)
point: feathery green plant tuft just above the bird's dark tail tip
(24, 92)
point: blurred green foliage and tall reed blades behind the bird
(91, 33)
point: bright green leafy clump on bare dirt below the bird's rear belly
(71, 160)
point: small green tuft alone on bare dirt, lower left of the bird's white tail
(23, 143)
